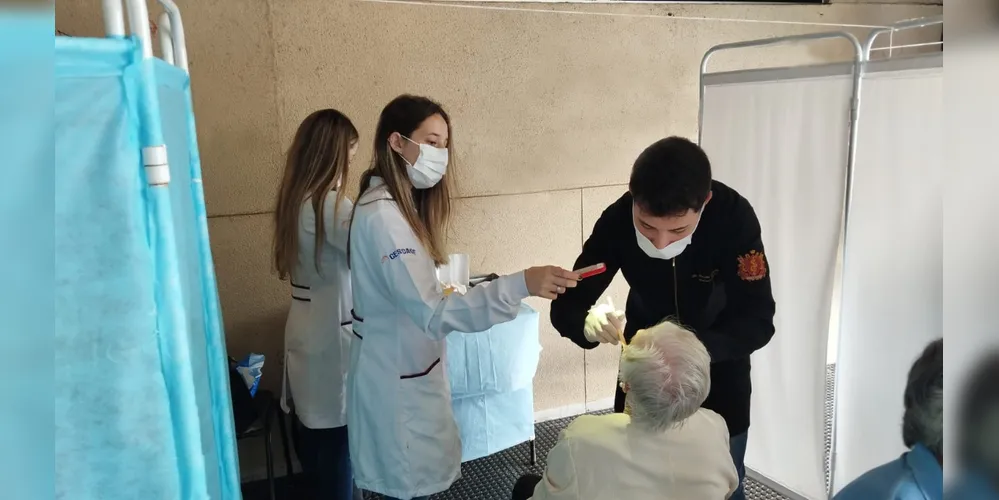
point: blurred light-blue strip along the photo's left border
(27, 245)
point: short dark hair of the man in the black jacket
(670, 177)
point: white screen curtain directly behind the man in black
(782, 145)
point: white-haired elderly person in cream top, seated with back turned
(667, 448)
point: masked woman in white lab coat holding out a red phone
(404, 442)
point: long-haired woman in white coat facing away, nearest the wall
(310, 250)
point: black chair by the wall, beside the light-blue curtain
(254, 417)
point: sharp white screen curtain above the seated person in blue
(892, 284)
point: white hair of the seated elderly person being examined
(667, 372)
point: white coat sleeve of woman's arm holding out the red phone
(411, 277)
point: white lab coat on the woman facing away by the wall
(317, 333)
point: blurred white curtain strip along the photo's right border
(971, 248)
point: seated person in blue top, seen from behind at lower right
(918, 473)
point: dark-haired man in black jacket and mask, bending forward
(691, 250)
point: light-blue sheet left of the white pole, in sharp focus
(114, 433)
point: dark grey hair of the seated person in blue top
(922, 422)
